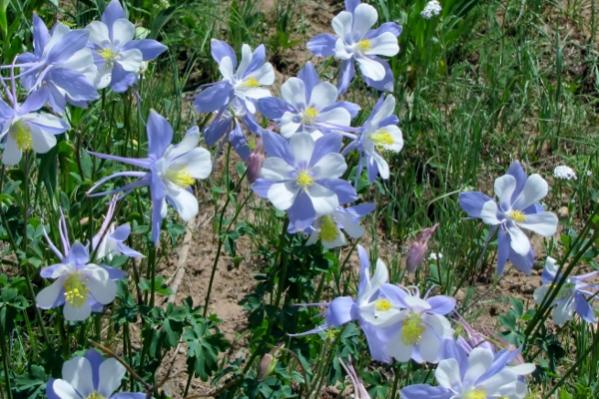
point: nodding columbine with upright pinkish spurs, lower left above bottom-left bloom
(81, 286)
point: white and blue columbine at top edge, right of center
(355, 41)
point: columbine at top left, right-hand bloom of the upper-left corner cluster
(118, 56)
